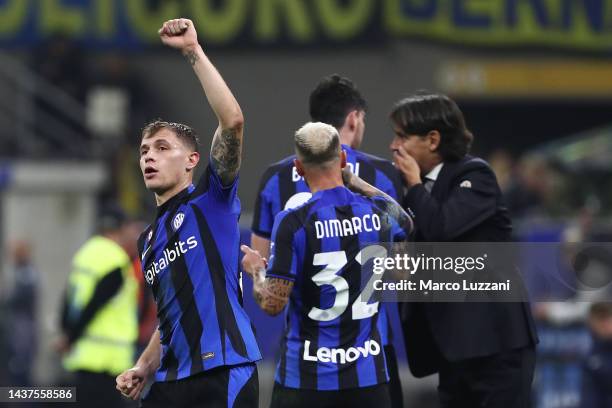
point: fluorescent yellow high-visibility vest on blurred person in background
(108, 342)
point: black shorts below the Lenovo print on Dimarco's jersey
(366, 397)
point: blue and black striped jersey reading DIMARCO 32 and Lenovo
(332, 340)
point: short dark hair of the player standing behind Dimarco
(334, 98)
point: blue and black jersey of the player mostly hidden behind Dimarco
(282, 188)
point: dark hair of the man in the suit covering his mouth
(423, 112)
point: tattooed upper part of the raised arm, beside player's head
(225, 154)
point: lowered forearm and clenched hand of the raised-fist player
(131, 382)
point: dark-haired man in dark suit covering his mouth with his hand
(484, 352)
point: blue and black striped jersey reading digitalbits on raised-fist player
(190, 258)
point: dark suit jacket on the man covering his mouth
(465, 205)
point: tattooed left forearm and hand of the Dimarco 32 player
(271, 294)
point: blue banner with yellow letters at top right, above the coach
(567, 24)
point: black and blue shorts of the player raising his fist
(222, 387)
